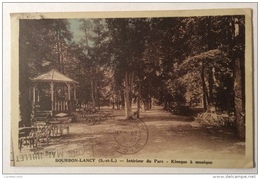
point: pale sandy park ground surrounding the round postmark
(169, 136)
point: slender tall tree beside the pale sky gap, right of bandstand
(95, 44)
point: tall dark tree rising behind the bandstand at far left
(37, 55)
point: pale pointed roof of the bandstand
(53, 76)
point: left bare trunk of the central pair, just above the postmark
(128, 109)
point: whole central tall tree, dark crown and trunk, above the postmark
(127, 41)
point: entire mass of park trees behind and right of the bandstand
(170, 60)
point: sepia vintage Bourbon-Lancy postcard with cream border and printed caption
(132, 89)
